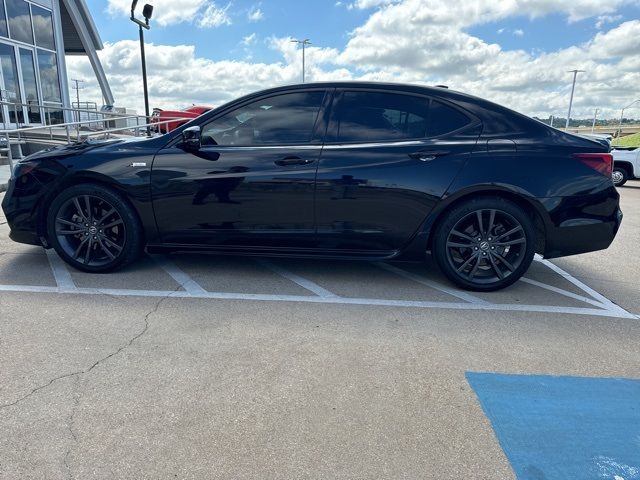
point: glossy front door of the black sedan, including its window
(251, 184)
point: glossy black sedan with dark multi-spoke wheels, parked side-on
(340, 170)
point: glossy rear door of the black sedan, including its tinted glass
(388, 158)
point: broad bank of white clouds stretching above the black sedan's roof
(408, 43)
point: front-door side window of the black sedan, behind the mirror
(279, 120)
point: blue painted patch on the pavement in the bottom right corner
(561, 428)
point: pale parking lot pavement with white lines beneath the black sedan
(192, 366)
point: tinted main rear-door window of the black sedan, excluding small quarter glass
(368, 116)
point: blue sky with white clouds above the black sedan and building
(514, 52)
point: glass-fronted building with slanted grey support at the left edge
(35, 36)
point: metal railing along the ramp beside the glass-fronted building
(15, 134)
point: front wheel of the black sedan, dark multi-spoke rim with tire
(74, 223)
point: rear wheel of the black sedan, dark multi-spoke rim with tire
(485, 257)
